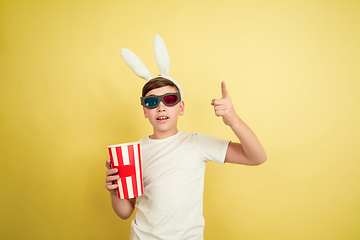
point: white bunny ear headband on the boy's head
(162, 60)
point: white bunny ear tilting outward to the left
(135, 64)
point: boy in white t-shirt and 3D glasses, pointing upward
(174, 163)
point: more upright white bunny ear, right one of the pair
(161, 55)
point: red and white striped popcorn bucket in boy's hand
(127, 159)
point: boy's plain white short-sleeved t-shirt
(173, 177)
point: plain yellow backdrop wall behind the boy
(292, 69)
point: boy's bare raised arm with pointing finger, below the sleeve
(249, 151)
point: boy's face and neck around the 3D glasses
(164, 118)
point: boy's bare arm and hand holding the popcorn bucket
(122, 207)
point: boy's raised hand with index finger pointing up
(223, 107)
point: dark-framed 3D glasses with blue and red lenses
(169, 99)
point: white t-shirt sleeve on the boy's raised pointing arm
(212, 148)
